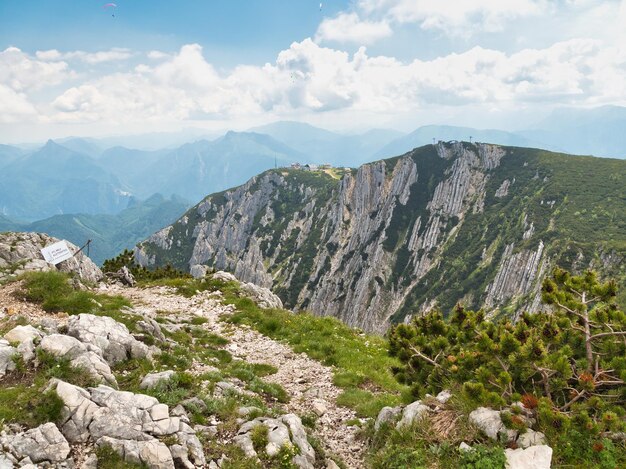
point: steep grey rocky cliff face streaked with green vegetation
(476, 223)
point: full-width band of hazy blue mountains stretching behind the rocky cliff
(97, 175)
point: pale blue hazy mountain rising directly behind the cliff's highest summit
(425, 135)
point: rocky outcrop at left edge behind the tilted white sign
(21, 252)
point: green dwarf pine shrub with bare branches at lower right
(568, 365)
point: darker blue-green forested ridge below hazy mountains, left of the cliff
(110, 234)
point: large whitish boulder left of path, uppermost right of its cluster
(112, 337)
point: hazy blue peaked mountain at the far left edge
(56, 180)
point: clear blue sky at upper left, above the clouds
(231, 31)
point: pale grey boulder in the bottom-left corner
(44, 443)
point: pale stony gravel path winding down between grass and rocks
(309, 383)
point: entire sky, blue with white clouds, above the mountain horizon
(81, 68)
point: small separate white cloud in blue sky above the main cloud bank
(348, 27)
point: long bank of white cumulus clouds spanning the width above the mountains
(307, 80)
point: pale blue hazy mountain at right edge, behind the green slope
(598, 131)
